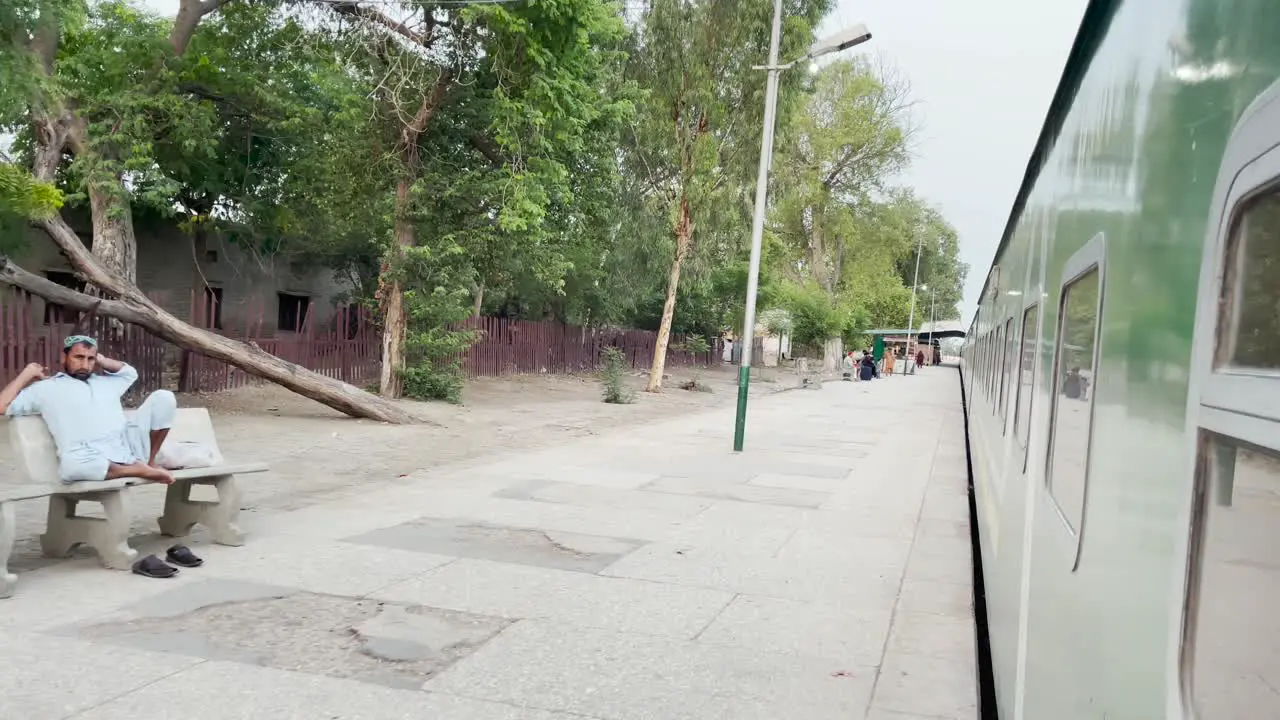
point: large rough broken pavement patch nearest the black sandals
(377, 642)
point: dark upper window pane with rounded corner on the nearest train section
(1251, 332)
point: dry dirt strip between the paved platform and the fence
(316, 453)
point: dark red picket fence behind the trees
(346, 348)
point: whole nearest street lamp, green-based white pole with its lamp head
(844, 40)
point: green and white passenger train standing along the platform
(1123, 380)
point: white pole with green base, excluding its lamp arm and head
(762, 190)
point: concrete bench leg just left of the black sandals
(108, 536)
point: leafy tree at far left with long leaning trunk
(97, 92)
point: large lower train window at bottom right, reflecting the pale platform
(1233, 631)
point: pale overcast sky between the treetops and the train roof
(984, 74)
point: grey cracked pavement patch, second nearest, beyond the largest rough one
(523, 546)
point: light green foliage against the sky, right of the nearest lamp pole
(842, 227)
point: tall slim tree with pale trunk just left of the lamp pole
(698, 122)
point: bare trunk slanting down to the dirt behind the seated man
(135, 308)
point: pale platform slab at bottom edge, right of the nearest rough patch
(628, 677)
